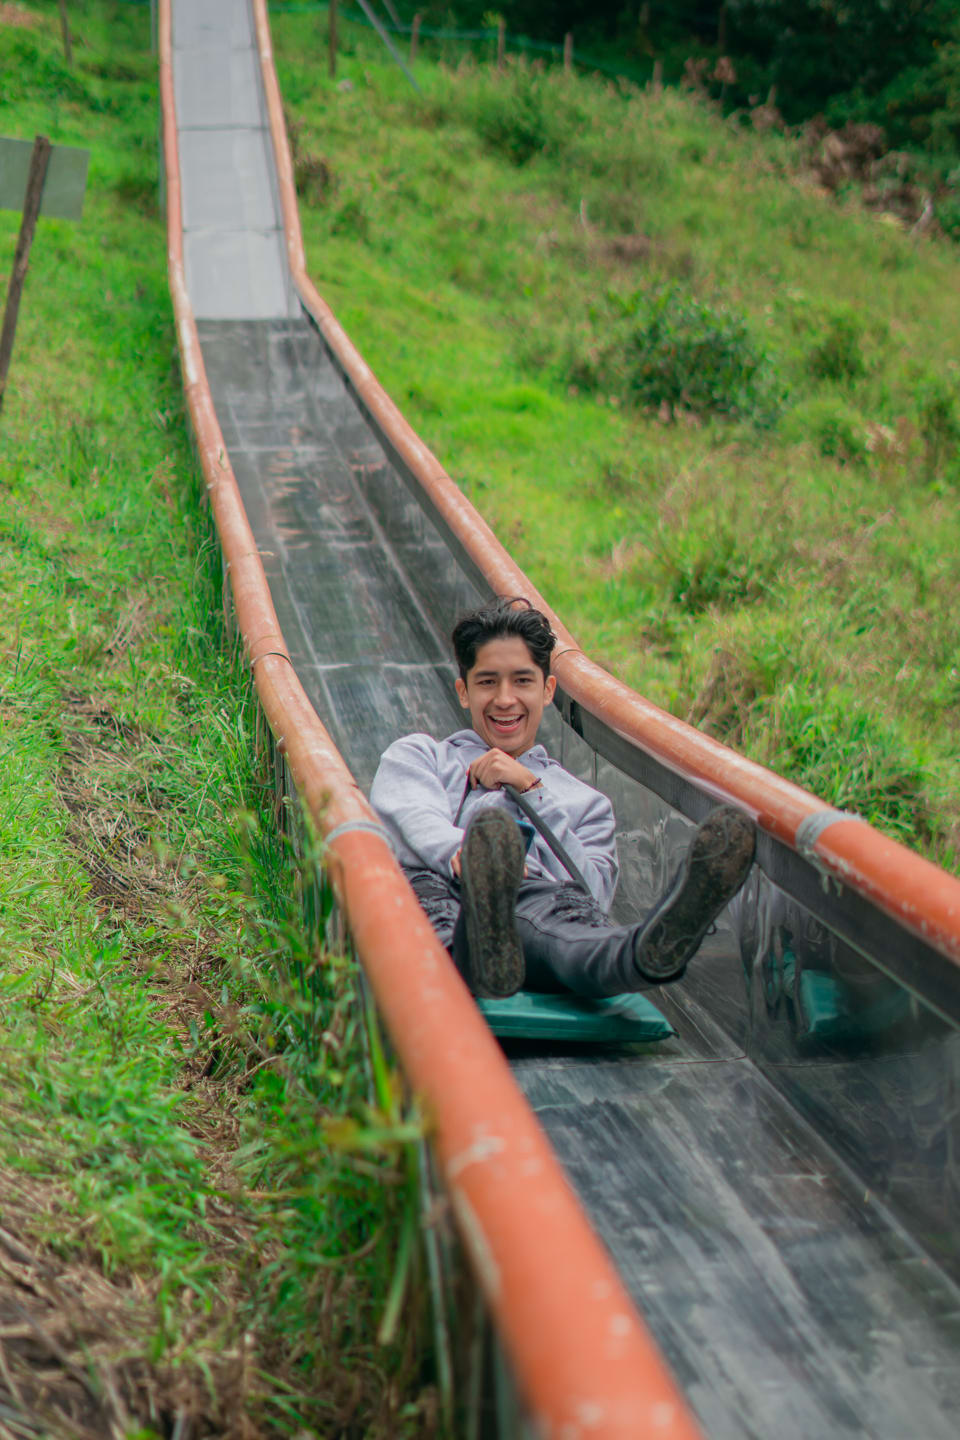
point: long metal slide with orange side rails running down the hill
(778, 1184)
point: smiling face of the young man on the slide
(506, 695)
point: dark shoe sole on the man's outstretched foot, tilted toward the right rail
(715, 869)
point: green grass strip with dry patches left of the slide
(175, 1043)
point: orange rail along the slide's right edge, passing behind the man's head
(913, 892)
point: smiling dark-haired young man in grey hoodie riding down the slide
(493, 888)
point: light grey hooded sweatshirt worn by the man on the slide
(420, 787)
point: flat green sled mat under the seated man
(617, 1019)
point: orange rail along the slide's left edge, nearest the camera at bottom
(584, 1359)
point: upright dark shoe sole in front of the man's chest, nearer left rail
(492, 870)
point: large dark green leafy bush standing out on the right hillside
(669, 351)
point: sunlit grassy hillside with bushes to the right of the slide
(713, 413)
